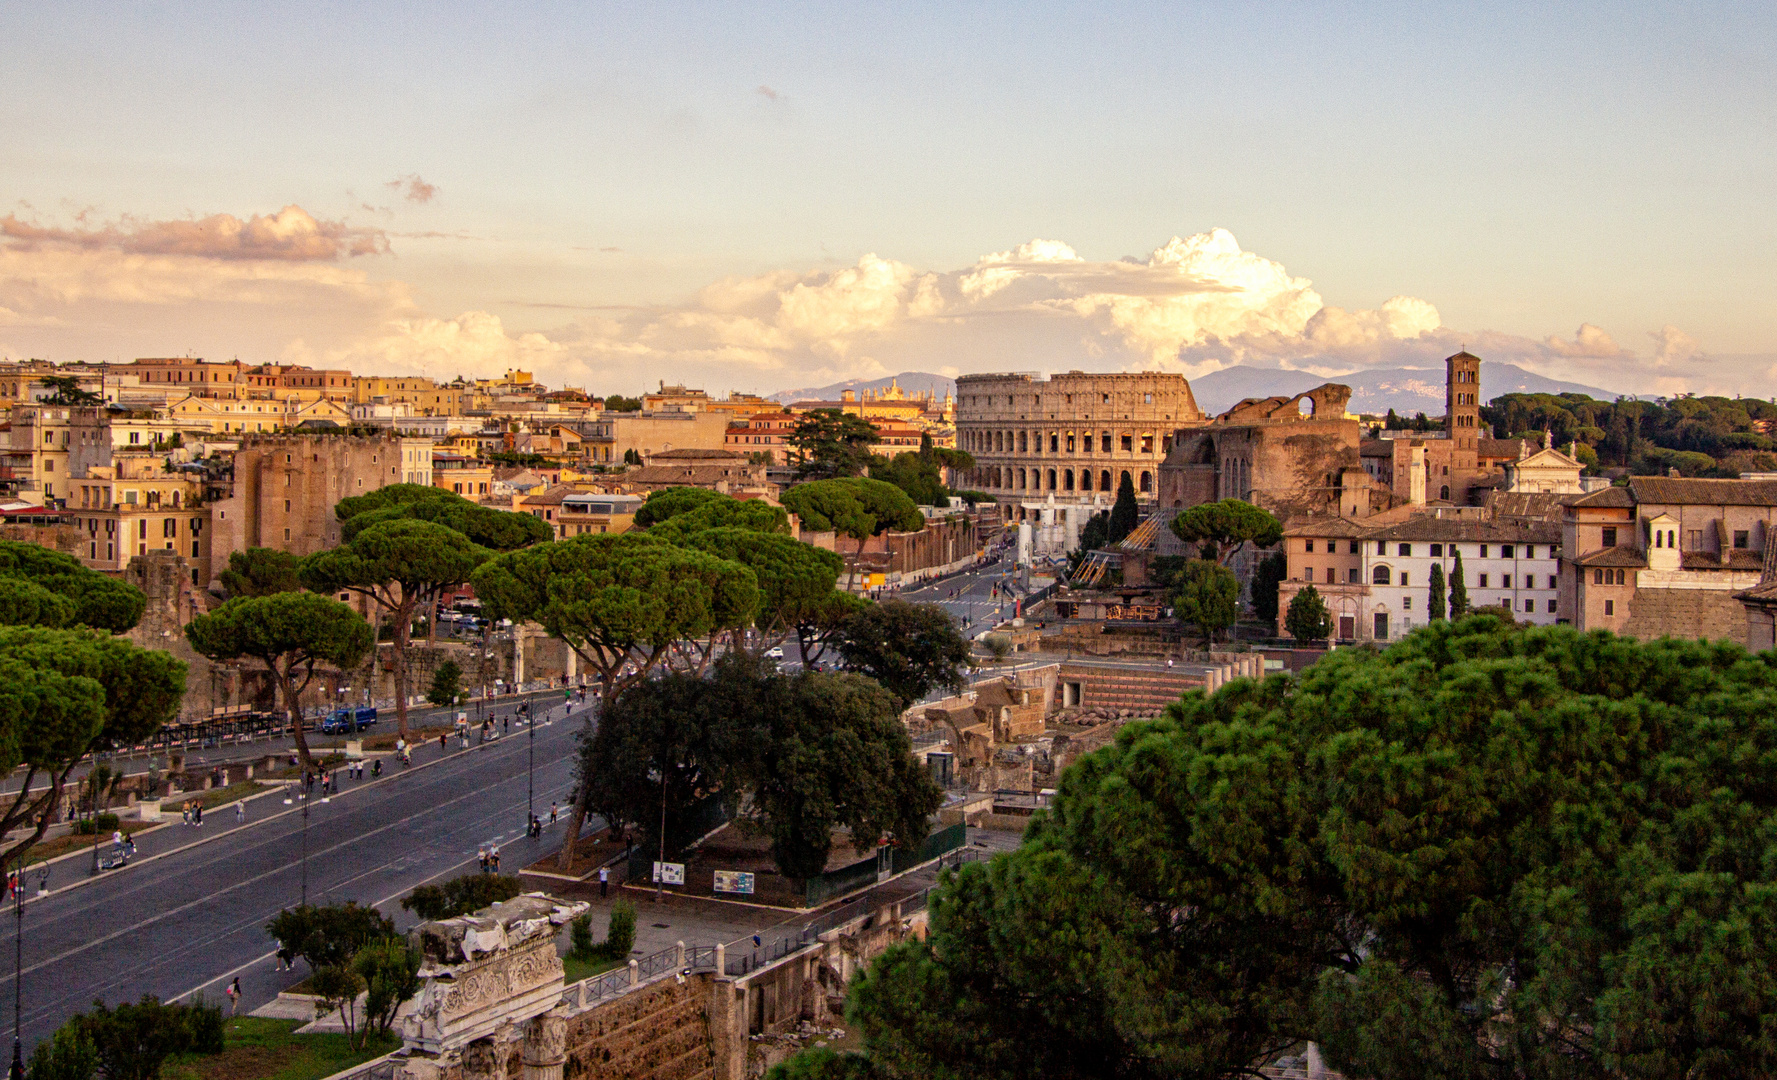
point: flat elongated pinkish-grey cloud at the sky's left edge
(291, 235)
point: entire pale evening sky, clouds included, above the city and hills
(783, 196)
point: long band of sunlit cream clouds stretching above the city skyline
(278, 287)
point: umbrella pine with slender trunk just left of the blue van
(291, 635)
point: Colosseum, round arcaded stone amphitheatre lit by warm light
(1072, 438)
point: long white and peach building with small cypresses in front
(1376, 578)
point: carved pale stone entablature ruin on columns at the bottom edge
(490, 1005)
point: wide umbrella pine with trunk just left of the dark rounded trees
(621, 601)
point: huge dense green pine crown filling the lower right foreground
(1483, 854)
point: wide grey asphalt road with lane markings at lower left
(195, 917)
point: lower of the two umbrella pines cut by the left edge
(65, 695)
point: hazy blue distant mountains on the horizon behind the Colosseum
(1378, 390)
